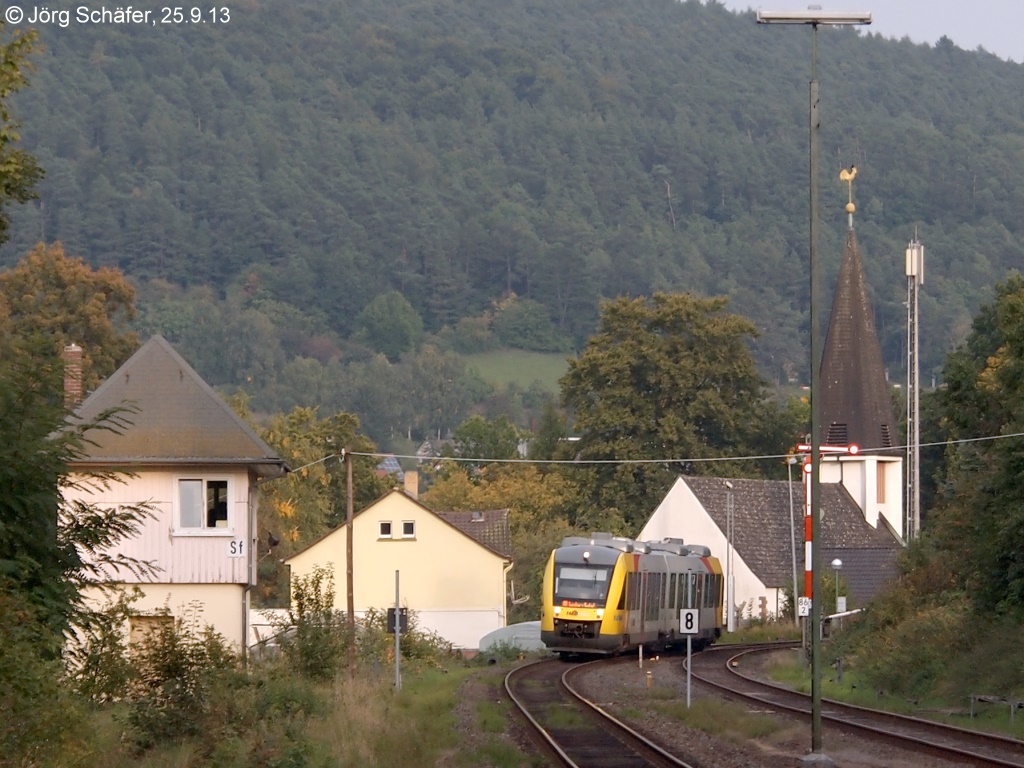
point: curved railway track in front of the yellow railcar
(575, 732)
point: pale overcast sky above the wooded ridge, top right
(998, 26)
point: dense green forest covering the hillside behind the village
(322, 201)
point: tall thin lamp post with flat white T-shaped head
(815, 18)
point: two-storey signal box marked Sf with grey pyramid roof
(198, 464)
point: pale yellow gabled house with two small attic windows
(452, 567)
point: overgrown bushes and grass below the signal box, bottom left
(184, 698)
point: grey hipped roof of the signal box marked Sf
(177, 418)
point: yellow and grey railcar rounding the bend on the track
(608, 595)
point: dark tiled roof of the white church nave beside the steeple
(763, 538)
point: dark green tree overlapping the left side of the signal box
(52, 549)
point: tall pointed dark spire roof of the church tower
(857, 404)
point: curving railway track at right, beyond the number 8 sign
(731, 672)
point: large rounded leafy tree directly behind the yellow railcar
(666, 381)
